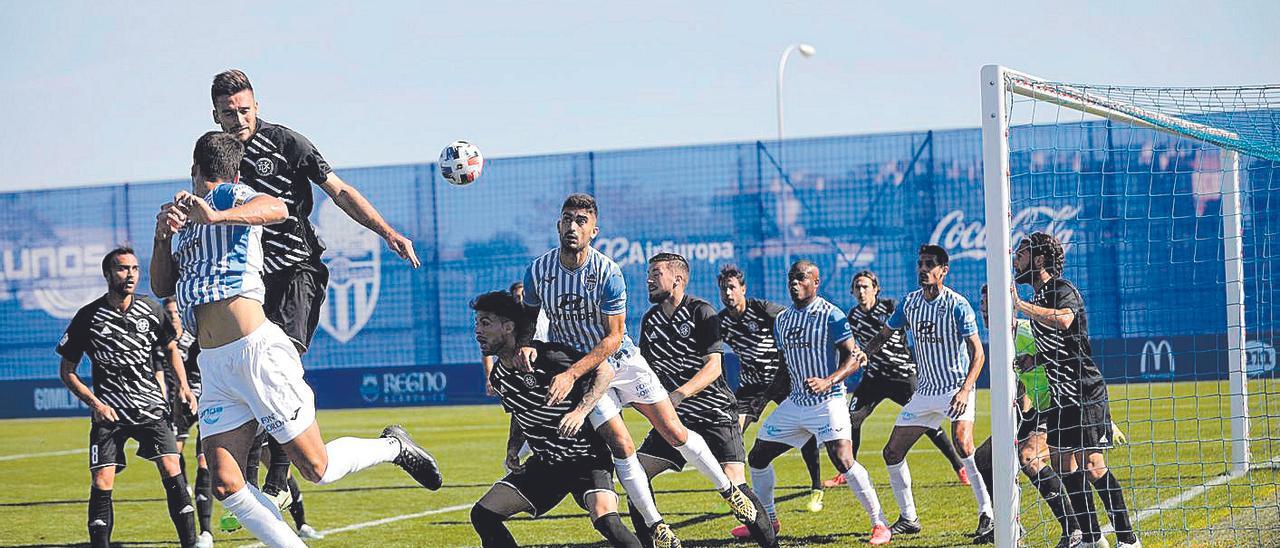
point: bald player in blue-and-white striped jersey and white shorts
(821, 354)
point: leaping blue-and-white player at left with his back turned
(252, 372)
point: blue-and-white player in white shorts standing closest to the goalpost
(949, 357)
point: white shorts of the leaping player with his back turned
(255, 378)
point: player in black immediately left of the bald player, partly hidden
(747, 326)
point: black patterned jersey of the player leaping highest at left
(282, 163)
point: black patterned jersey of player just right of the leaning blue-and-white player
(675, 349)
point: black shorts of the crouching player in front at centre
(546, 485)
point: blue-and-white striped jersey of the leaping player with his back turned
(217, 263)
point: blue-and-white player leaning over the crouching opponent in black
(586, 300)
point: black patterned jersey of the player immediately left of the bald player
(752, 339)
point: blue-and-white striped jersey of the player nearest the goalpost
(940, 328)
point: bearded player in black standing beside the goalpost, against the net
(1080, 415)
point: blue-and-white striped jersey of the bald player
(808, 340)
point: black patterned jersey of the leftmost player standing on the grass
(122, 350)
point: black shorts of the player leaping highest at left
(295, 298)
